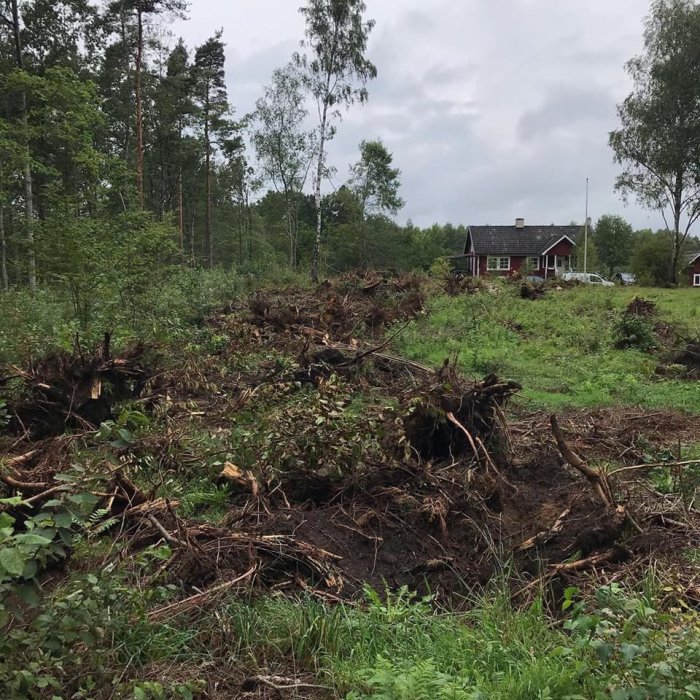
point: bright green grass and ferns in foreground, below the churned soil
(400, 648)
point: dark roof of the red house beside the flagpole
(508, 240)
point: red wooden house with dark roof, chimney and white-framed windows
(505, 250)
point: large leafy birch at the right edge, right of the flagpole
(658, 142)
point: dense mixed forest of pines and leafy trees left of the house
(116, 138)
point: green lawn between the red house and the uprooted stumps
(561, 347)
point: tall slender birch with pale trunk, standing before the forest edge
(337, 71)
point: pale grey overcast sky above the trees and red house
(493, 109)
